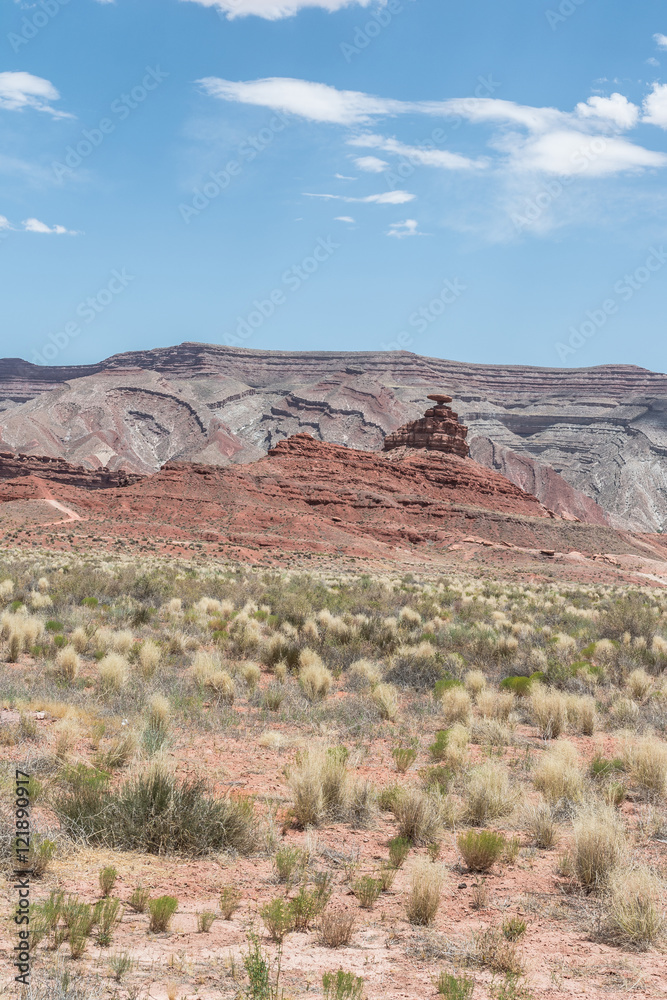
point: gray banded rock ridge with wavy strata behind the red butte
(589, 443)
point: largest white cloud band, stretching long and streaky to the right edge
(541, 140)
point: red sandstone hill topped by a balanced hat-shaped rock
(421, 495)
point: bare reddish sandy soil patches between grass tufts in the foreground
(561, 954)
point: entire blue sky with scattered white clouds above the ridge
(482, 181)
